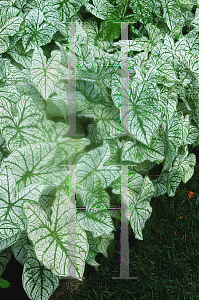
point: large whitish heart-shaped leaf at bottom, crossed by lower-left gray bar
(52, 240)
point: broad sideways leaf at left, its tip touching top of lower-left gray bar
(36, 163)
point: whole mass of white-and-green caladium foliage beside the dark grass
(36, 153)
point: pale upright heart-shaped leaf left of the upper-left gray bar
(44, 74)
